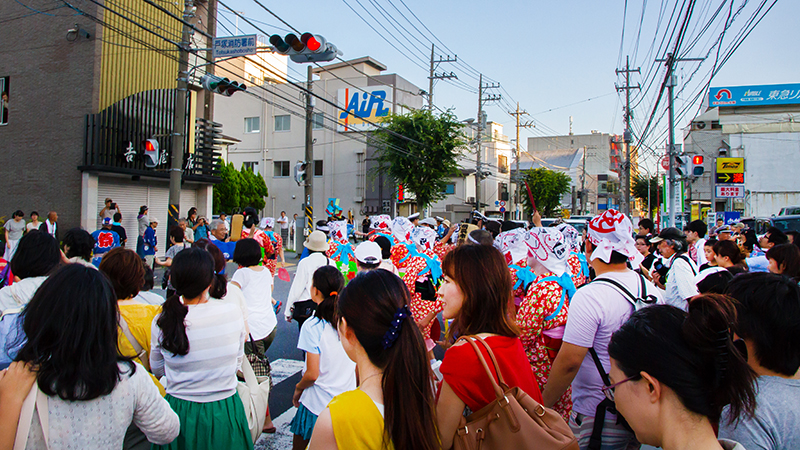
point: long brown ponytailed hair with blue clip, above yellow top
(374, 304)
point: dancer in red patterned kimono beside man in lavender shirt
(543, 313)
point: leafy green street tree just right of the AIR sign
(423, 163)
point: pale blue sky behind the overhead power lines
(545, 54)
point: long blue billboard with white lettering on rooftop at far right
(773, 94)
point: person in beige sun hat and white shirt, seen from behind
(300, 292)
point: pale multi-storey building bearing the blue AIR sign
(272, 134)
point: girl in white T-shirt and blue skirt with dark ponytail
(328, 371)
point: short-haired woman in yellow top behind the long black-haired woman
(125, 269)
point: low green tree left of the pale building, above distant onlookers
(238, 190)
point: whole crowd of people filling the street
(618, 337)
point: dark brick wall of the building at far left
(51, 92)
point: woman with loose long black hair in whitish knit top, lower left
(93, 394)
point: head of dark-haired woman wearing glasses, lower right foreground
(673, 372)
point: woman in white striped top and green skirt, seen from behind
(199, 345)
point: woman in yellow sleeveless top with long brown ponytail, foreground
(393, 406)
